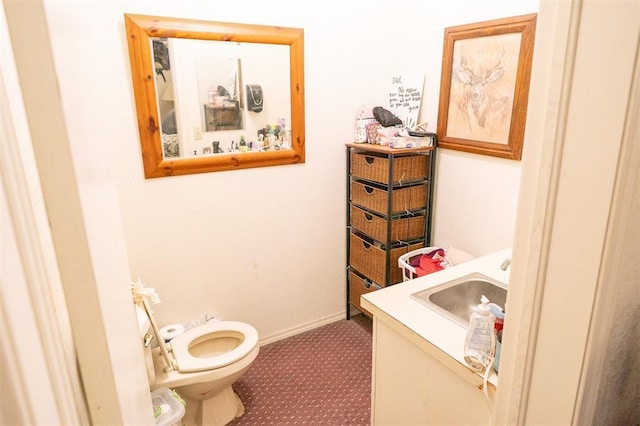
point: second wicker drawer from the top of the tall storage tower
(404, 199)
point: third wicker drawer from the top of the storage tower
(402, 228)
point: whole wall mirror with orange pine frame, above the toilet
(214, 96)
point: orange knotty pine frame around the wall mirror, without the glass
(141, 29)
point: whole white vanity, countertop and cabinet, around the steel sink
(419, 375)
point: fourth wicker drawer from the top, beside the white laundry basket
(370, 259)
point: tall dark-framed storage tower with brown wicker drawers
(389, 203)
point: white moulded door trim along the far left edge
(39, 377)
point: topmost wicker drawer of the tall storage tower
(375, 167)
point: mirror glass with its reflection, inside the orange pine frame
(207, 114)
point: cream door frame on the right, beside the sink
(581, 80)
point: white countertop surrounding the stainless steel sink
(422, 324)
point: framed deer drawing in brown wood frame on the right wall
(484, 88)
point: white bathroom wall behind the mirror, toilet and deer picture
(267, 245)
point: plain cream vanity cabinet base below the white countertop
(416, 383)
